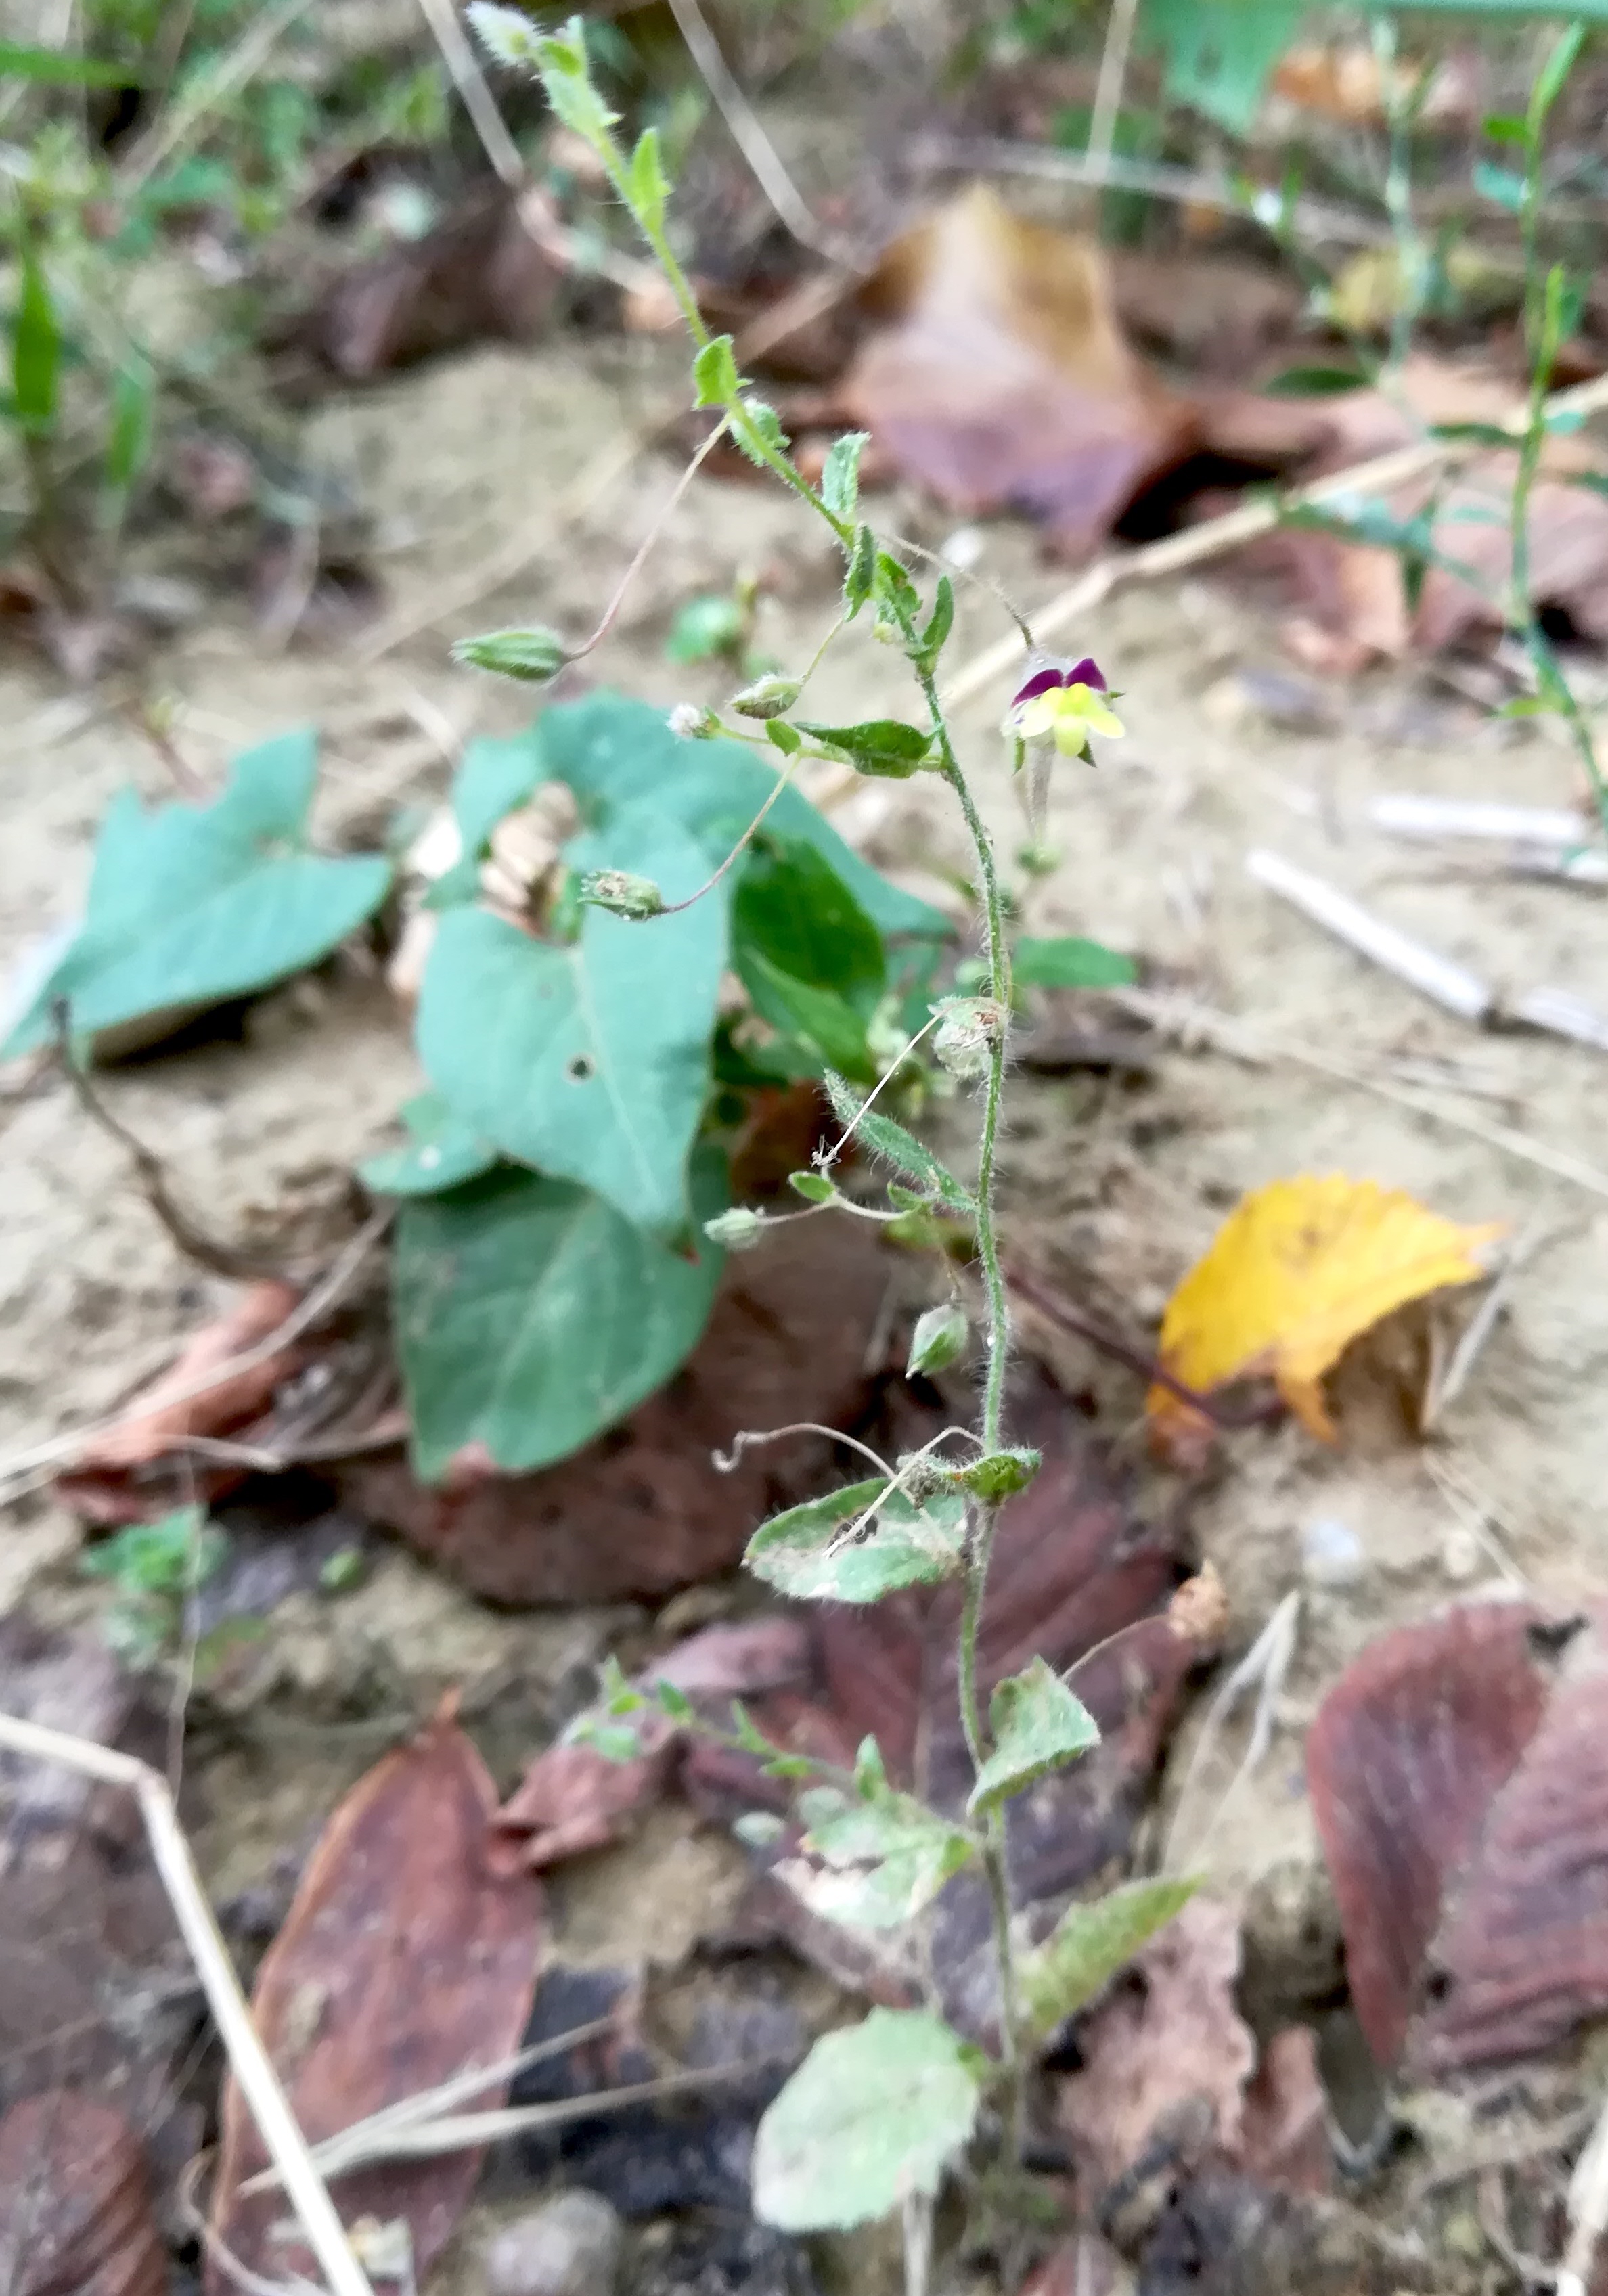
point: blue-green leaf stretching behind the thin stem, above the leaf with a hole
(614, 754)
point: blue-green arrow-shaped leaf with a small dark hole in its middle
(592, 1060)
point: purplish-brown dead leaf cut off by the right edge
(1522, 1955)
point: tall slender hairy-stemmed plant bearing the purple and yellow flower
(872, 1854)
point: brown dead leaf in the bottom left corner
(75, 2203)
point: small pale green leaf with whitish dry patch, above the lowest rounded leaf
(883, 1859)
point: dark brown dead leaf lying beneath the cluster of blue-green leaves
(644, 1510)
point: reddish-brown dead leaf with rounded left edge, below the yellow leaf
(1405, 1762)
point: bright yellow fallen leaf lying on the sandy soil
(1294, 1273)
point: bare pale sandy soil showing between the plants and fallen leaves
(1111, 1186)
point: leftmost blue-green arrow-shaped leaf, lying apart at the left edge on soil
(192, 906)
